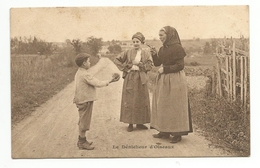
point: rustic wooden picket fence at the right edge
(232, 73)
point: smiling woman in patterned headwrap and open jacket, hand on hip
(135, 103)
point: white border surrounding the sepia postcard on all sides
(5, 124)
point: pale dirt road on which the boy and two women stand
(52, 132)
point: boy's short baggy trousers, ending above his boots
(85, 112)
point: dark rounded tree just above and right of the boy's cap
(94, 45)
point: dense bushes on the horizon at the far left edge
(31, 45)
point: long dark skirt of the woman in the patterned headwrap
(135, 104)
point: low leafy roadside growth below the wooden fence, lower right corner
(224, 124)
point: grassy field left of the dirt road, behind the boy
(35, 79)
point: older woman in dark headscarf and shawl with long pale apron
(170, 105)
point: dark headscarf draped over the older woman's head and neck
(172, 36)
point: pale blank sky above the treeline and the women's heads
(120, 23)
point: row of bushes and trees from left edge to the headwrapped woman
(34, 45)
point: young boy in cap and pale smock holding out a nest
(85, 94)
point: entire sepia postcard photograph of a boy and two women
(130, 82)
